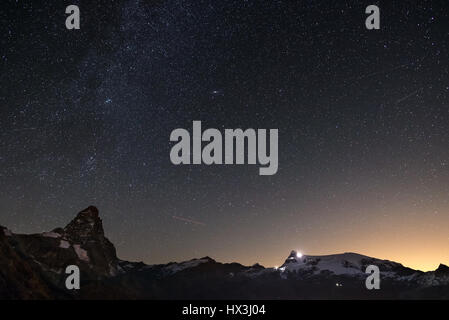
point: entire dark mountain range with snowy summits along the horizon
(33, 267)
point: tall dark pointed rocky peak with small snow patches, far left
(82, 243)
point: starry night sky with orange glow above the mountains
(363, 119)
